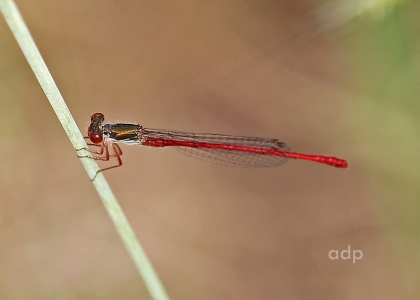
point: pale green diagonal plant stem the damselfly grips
(29, 49)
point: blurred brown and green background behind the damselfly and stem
(317, 75)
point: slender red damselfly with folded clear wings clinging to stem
(237, 151)
